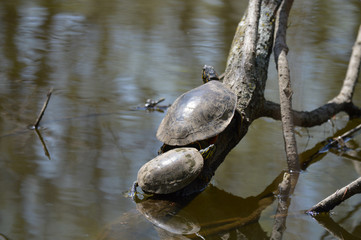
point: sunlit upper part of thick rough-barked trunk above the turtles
(247, 64)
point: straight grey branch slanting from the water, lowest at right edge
(336, 198)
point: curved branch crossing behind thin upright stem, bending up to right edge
(342, 102)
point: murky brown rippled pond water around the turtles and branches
(104, 57)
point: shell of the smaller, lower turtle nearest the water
(170, 171)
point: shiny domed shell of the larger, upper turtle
(198, 114)
